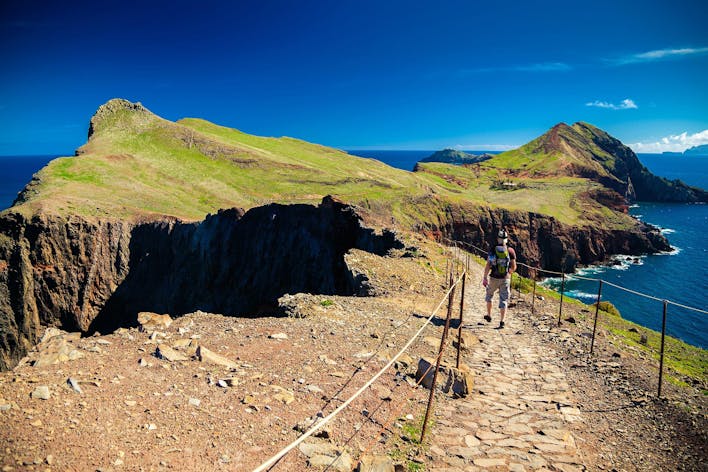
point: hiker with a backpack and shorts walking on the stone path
(501, 263)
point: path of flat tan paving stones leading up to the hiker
(521, 412)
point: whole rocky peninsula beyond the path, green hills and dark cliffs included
(85, 243)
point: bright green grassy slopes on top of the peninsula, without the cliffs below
(136, 165)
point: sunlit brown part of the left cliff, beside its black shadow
(55, 271)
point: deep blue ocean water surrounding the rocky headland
(680, 276)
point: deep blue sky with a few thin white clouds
(360, 74)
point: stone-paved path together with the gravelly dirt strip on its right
(541, 402)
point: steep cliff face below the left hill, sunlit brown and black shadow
(87, 276)
